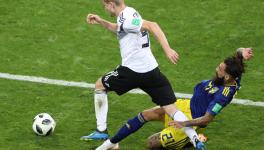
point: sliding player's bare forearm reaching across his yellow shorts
(202, 121)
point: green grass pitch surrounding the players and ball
(51, 39)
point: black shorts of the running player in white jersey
(154, 83)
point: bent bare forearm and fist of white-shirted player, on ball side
(95, 19)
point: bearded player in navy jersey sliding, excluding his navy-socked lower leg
(209, 98)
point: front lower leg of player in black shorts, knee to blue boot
(101, 109)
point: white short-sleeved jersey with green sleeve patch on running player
(134, 44)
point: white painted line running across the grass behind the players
(88, 85)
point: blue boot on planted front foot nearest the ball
(96, 135)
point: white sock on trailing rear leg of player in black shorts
(190, 132)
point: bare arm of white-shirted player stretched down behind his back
(154, 28)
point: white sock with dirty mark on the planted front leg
(101, 109)
